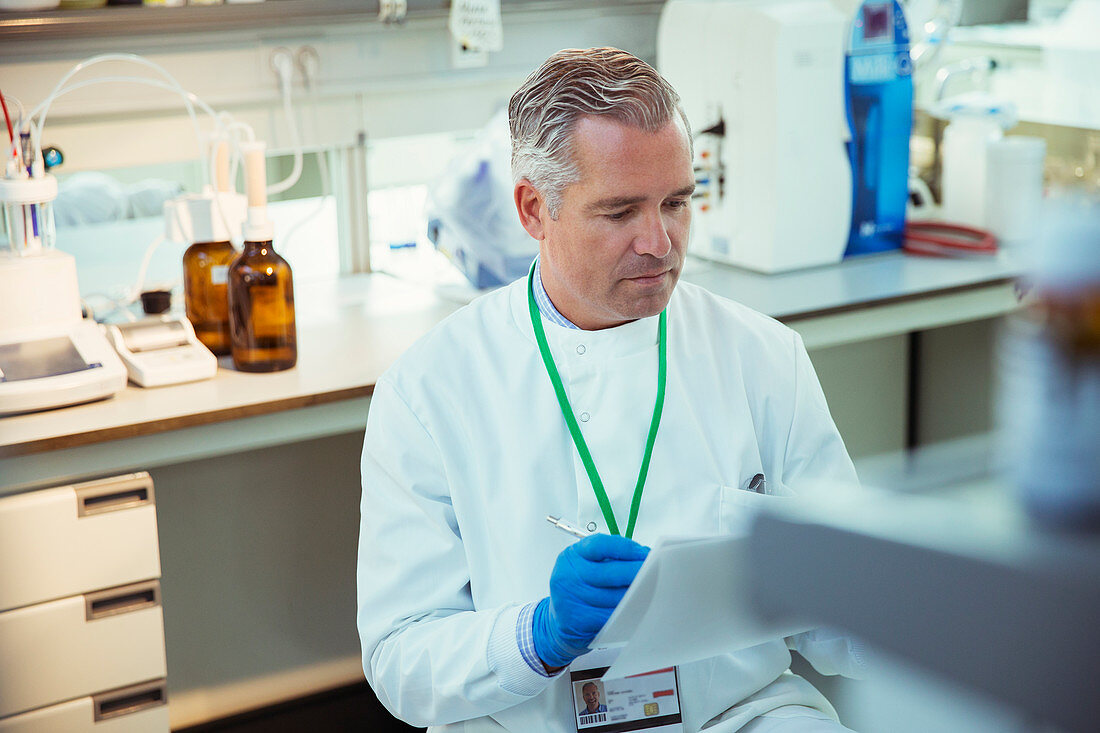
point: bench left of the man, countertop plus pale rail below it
(349, 332)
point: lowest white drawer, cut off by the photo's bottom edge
(139, 709)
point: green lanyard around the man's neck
(575, 430)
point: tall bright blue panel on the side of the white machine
(879, 101)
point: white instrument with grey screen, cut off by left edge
(50, 356)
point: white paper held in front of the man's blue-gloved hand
(689, 603)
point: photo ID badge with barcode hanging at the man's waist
(641, 703)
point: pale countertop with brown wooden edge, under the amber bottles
(349, 332)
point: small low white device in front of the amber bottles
(162, 351)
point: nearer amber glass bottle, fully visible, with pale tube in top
(261, 311)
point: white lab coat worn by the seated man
(467, 453)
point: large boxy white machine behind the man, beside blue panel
(763, 85)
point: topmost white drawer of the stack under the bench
(72, 540)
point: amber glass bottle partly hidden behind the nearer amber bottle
(206, 276)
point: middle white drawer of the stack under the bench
(79, 647)
